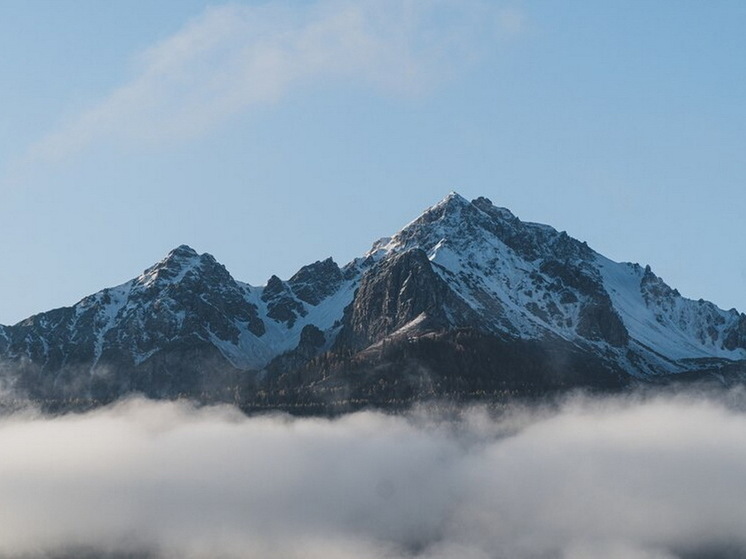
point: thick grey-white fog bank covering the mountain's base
(653, 477)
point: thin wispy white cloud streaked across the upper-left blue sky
(235, 57)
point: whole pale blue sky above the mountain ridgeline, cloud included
(273, 134)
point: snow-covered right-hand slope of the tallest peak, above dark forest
(528, 280)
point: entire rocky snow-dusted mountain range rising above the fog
(465, 300)
